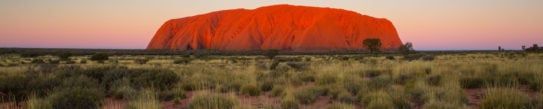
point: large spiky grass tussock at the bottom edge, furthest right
(504, 98)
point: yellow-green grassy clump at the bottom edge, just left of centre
(212, 101)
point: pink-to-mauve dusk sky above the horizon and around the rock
(130, 24)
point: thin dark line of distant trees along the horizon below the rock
(33, 52)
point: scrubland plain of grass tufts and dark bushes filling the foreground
(486, 80)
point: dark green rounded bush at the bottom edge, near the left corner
(77, 98)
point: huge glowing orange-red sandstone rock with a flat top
(279, 27)
